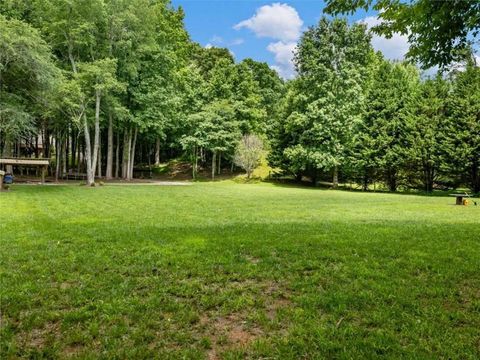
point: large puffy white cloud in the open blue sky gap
(277, 21)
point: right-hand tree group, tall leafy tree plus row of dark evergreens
(351, 113)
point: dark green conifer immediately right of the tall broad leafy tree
(382, 140)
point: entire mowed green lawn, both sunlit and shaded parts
(232, 271)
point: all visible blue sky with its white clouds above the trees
(266, 30)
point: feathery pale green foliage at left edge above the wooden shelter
(27, 74)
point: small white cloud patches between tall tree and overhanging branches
(394, 48)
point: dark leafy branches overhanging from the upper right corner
(439, 32)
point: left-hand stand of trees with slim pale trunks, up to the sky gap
(103, 85)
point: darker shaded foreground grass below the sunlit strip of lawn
(363, 287)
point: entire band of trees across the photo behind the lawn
(103, 86)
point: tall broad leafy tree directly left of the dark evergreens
(331, 62)
